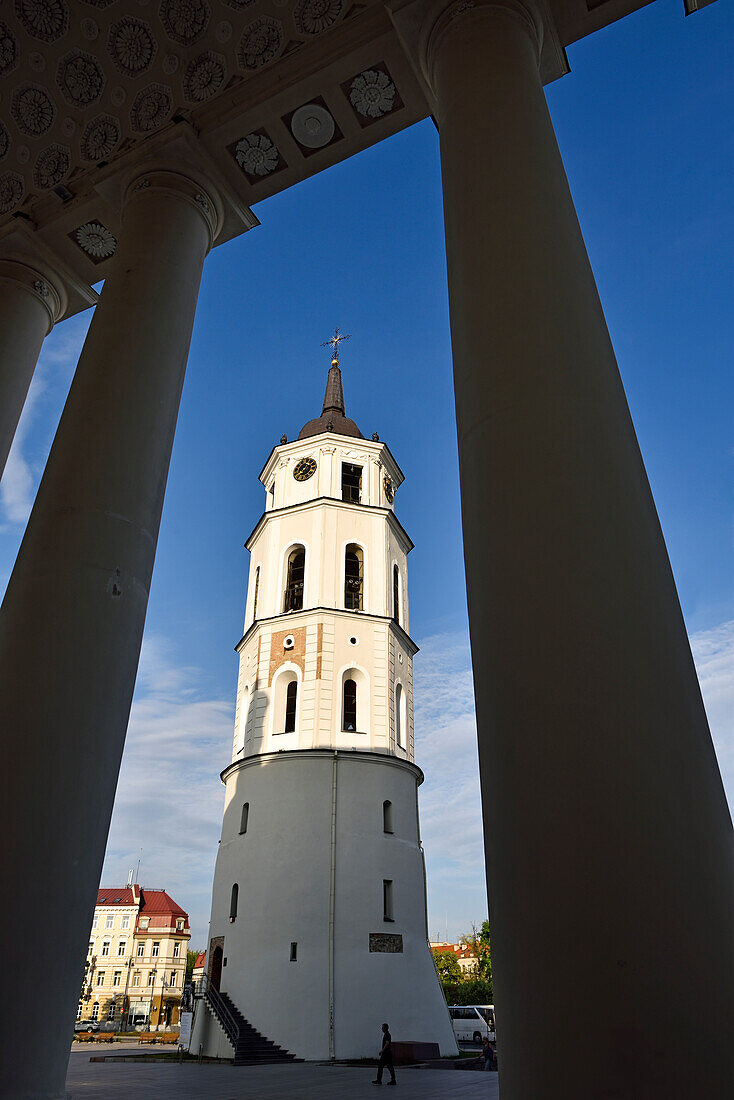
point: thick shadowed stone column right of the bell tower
(608, 834)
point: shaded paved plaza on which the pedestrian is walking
(118, 1081)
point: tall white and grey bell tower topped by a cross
(320, 887)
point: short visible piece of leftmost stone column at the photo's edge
(30, 304)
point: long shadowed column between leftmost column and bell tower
(72, 621)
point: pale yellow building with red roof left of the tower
(136, 961)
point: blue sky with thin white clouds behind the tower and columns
(645, 127)
